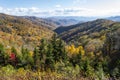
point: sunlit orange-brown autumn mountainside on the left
(18, 31)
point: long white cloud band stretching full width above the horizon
(74, 11)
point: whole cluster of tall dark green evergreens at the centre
(51, 52)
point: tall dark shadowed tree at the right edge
(111, 50)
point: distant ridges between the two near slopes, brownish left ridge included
(55, 22)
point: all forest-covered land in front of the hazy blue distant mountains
(85, 51)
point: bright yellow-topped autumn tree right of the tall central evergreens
(76, 54)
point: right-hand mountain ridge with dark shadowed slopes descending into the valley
(91, 29)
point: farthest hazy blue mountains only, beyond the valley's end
(69, 20)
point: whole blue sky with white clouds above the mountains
(47, 8)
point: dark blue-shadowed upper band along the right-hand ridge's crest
(85, 26)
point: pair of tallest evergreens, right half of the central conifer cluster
(59, 52)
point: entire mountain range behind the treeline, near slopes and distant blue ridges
(29, 30)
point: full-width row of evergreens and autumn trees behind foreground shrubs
(69, 60)
